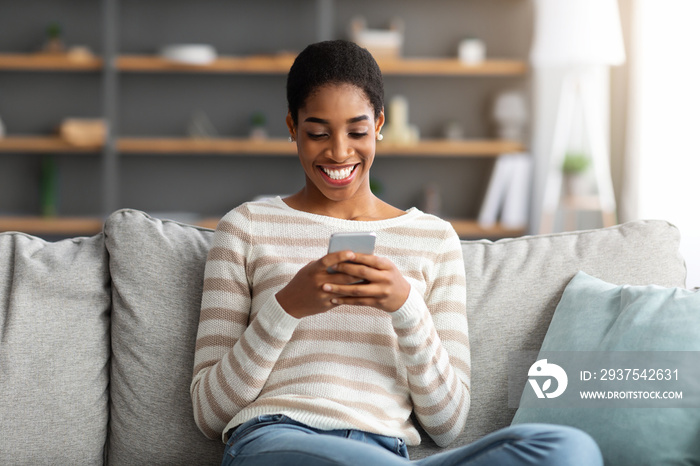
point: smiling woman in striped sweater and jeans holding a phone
(311, 357)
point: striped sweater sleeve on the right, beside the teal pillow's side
(433, 342)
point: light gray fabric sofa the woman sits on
(97, 334)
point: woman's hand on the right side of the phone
(382, 284)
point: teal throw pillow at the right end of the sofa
(593, 315)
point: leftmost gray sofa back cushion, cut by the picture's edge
(54, 350)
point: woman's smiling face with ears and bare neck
(336, 140)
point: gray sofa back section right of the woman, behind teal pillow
(514, 285)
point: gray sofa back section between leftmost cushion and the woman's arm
(157, 269)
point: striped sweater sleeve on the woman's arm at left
(233, 357)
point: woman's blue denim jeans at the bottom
(273, 440)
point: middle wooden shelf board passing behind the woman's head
(226, 146)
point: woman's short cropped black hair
(333, 62)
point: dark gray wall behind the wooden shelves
(162, 104)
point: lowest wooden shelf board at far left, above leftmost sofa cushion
(68, 226)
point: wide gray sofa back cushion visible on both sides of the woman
(513, 288)
